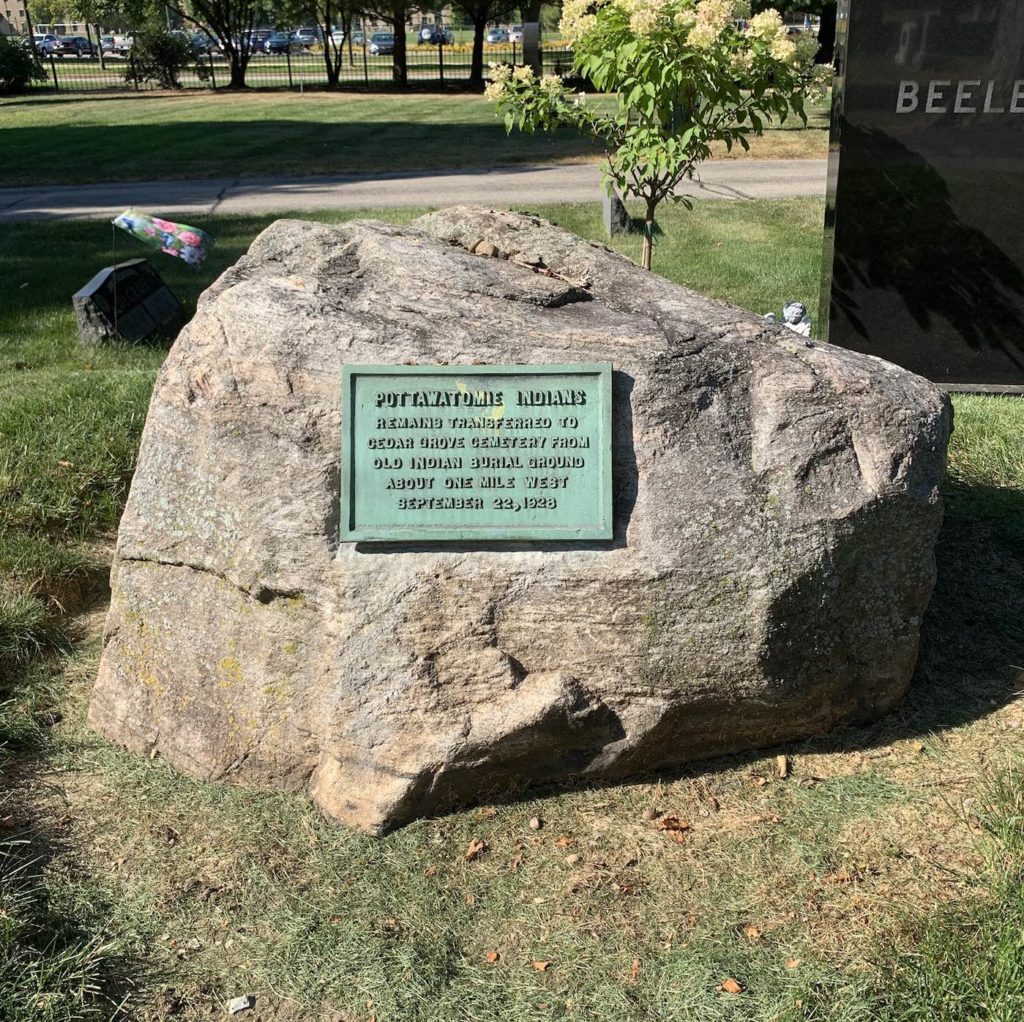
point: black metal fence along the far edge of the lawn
(425, 66)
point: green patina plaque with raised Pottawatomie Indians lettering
(448, 453)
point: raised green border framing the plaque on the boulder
(605, 530)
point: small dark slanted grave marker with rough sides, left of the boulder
(129, 302)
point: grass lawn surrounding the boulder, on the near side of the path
(882, 882)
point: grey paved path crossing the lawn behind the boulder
(496, 187)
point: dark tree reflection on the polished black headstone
(899, 233)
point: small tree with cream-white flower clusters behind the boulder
(686, 73)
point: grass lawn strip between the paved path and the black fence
(73, 140)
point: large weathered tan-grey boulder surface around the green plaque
(777, 507)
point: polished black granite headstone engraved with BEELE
(925, 224)
